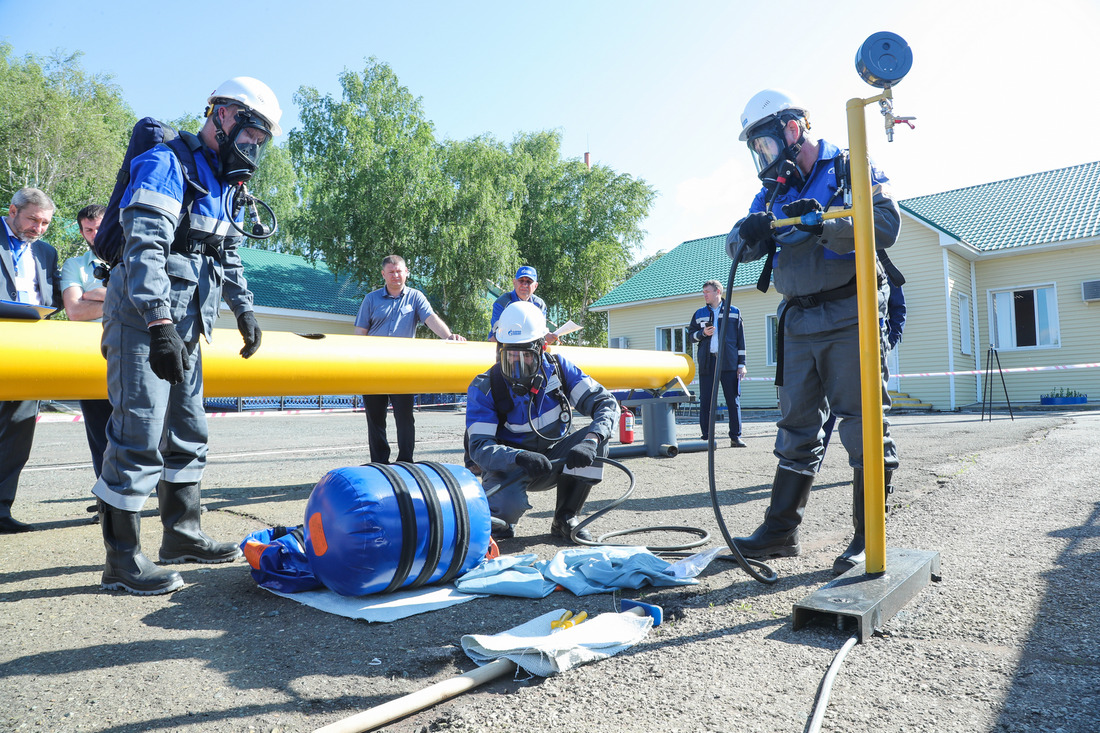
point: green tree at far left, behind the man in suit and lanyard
(62, 130)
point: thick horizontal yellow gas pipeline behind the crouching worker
(49, 360)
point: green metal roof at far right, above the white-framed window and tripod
(1054, 206)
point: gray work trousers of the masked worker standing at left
(157, 430)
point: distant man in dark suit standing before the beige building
(705, 330)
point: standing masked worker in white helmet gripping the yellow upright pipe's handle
(818, 353)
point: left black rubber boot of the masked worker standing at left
(127, 568)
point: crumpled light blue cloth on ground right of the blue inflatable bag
(585, 571)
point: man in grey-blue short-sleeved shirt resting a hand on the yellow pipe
(395, 311)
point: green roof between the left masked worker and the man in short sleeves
(289, 281)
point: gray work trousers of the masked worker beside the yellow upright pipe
(821, 373)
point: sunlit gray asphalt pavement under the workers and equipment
(1007, 641)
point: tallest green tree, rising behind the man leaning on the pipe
(371, 180)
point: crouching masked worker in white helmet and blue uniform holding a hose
(519, 418)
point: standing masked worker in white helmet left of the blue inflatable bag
(161, 298)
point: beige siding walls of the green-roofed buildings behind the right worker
(943, 278)
